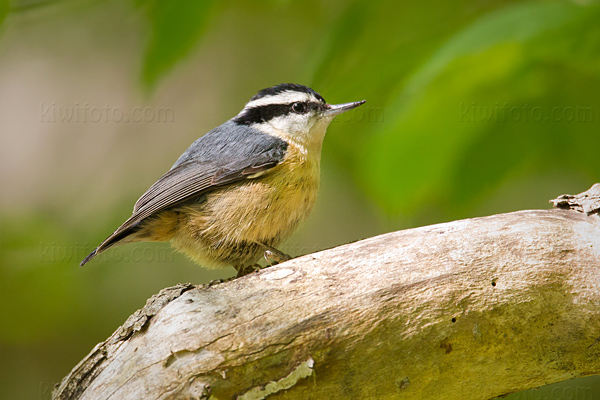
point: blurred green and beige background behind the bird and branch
(474, 108)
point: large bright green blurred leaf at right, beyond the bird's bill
(431, 151)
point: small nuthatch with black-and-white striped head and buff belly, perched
(242, 188)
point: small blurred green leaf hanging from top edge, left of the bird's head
(176, 27)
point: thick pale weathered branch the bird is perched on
(470, 309)
